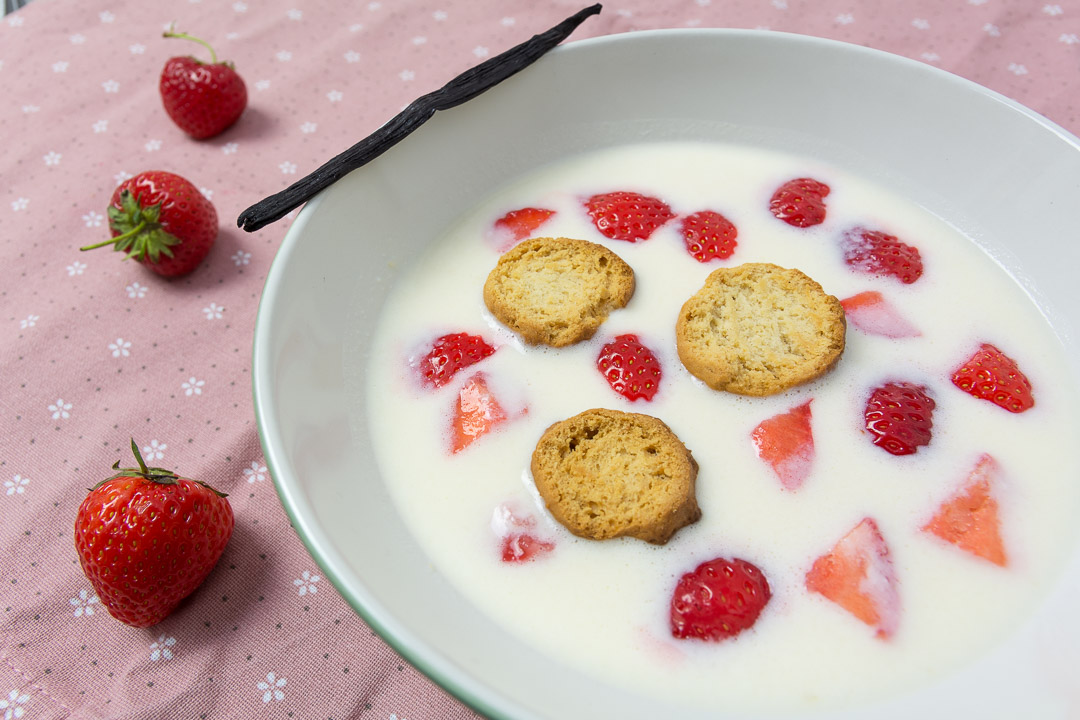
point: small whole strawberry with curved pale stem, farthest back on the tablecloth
(202, 99)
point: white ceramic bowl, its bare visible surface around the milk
(1005, 176)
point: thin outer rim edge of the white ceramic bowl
(479, 697)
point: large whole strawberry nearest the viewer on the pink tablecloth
(147, 539)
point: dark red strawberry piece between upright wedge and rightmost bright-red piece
(900, 417)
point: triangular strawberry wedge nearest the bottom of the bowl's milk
(858, 576)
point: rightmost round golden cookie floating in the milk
(760, 330)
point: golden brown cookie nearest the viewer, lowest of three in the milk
(610, 474)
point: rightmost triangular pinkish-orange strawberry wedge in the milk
(969, 520)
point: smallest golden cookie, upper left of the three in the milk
(558, 291)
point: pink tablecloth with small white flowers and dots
(94, 351)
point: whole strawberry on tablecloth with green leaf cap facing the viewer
(161, 221)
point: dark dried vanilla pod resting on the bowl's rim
(464, 88)
